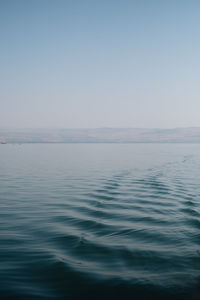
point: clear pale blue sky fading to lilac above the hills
(91, 63)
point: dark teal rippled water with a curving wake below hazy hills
(99, 221)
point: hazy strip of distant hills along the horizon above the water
(102, 135)
